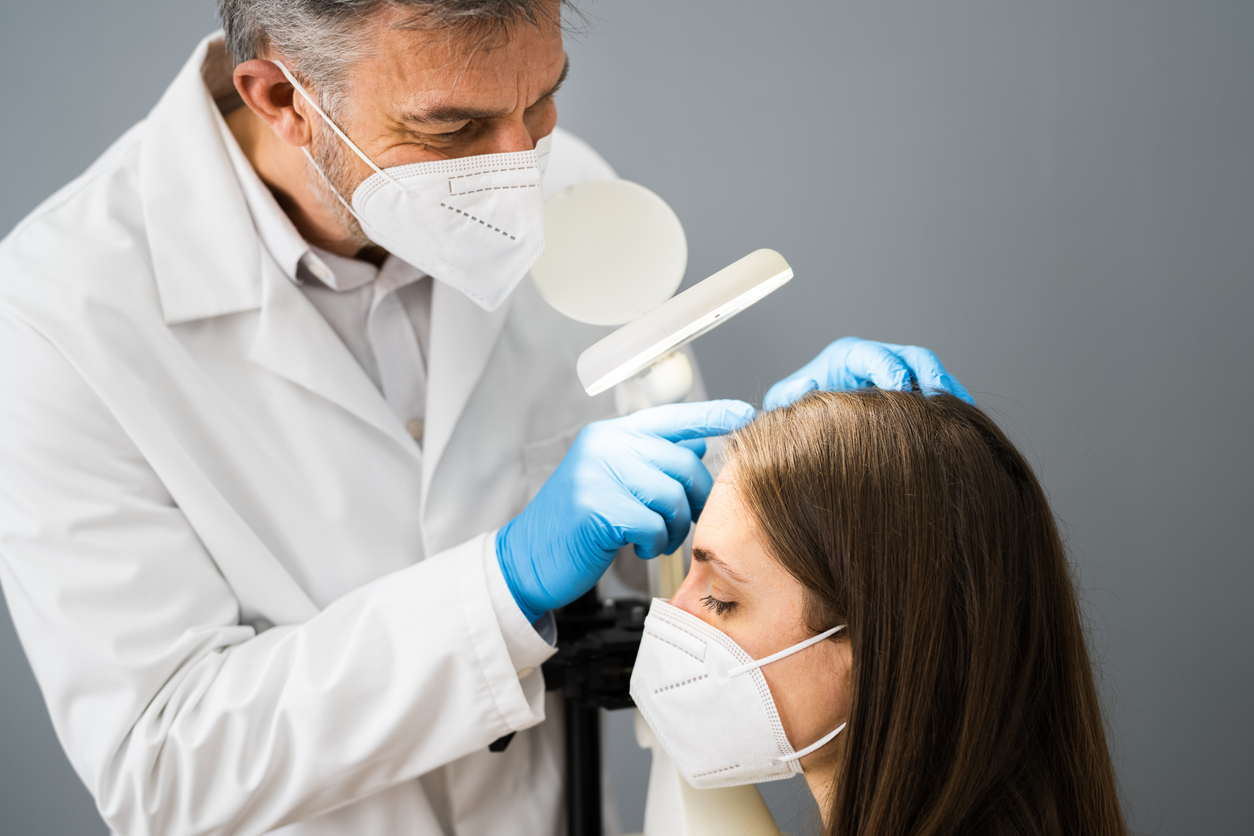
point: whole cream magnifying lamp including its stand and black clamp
(615, 254)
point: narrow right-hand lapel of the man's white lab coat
(463, 337)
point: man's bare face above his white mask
(423, 96)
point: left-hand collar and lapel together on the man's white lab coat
(209, 260)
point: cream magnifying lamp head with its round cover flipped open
(615, 254)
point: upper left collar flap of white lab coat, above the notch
(205, 249)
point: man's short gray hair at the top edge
(324, 38)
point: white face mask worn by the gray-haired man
(476, 224)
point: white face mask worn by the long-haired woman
(708, 703)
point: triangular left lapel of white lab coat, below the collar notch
(295, 343)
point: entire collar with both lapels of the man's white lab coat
(209, 261)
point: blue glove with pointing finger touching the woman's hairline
(636, 479)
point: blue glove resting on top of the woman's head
(851, 363)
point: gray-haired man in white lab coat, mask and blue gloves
(294, 466)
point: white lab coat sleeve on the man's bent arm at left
(179, 718)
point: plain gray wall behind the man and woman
(1056, 197)
